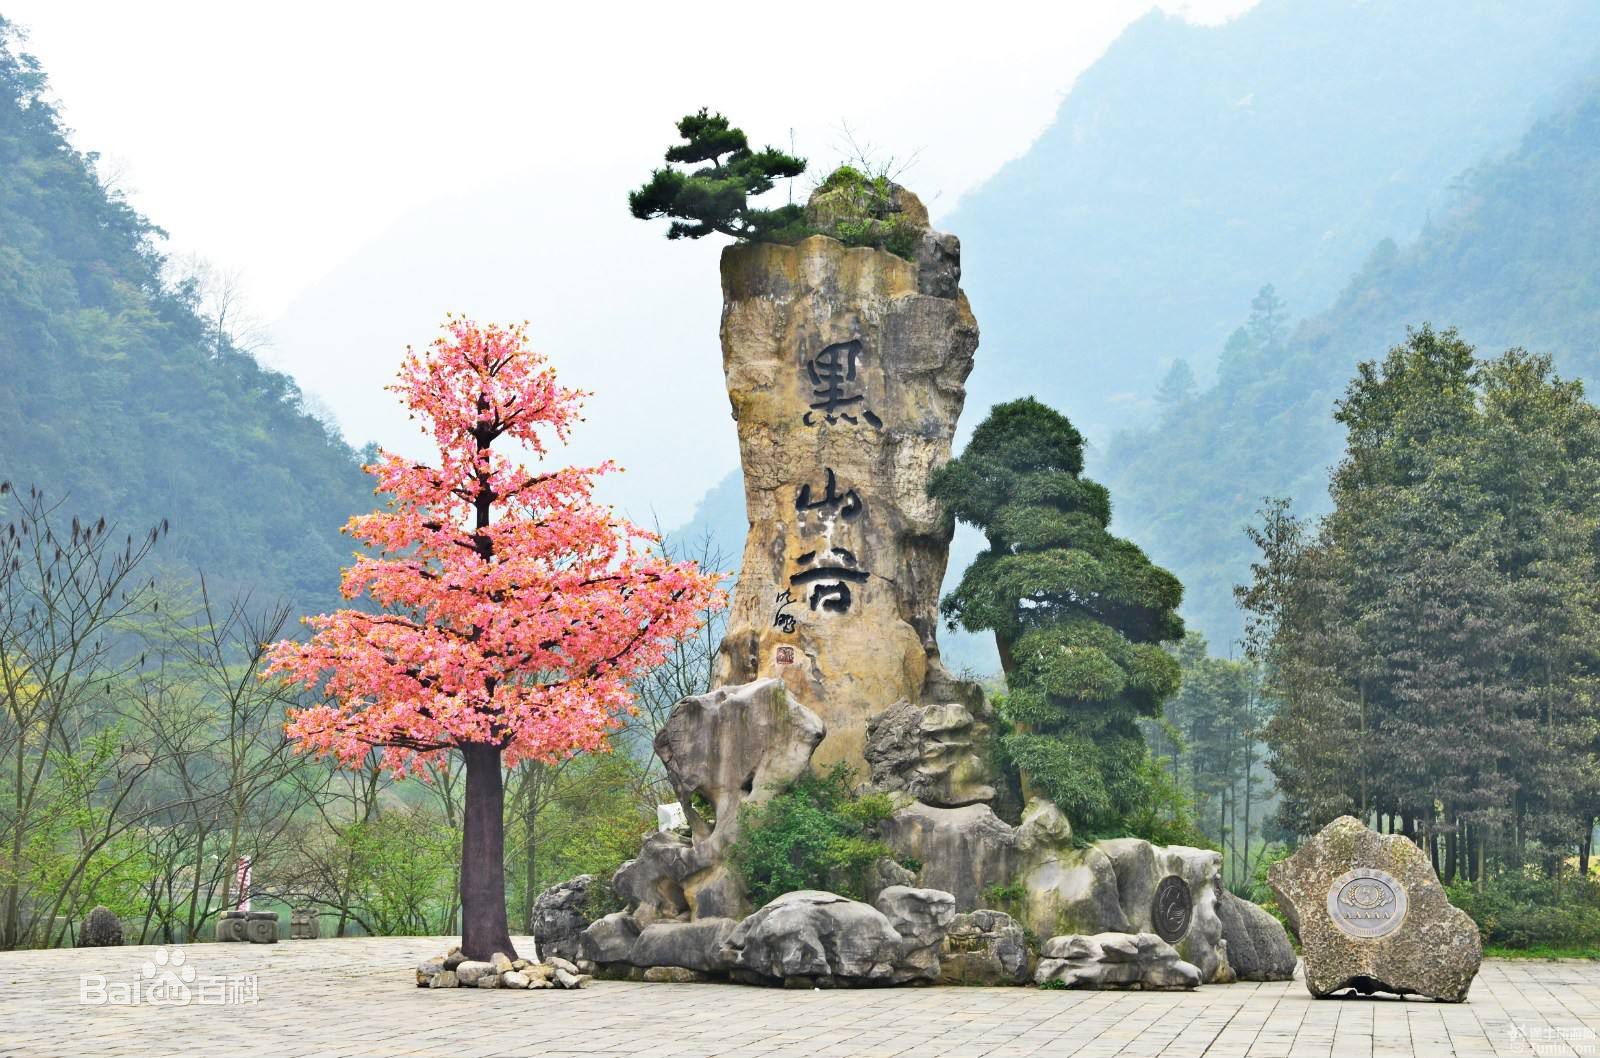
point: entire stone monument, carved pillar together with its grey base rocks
(846, 367)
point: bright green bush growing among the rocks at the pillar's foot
(817, 835)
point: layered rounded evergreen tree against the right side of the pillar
(1079, 615)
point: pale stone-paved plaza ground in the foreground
(353, 998)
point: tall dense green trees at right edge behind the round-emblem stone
(1433, 641)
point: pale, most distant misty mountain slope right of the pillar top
(1194, 164)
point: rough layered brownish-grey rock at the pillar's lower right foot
(938, 755)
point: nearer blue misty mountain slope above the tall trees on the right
(1516, 262)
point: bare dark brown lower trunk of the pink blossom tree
(484, 926)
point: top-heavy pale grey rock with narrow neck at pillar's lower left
(735, 748)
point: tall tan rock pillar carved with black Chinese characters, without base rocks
(846, 371)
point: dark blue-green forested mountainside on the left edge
(124, 398)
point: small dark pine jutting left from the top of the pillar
(716, 198)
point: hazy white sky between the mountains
(362, 167)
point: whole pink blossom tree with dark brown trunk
(513, 609)
